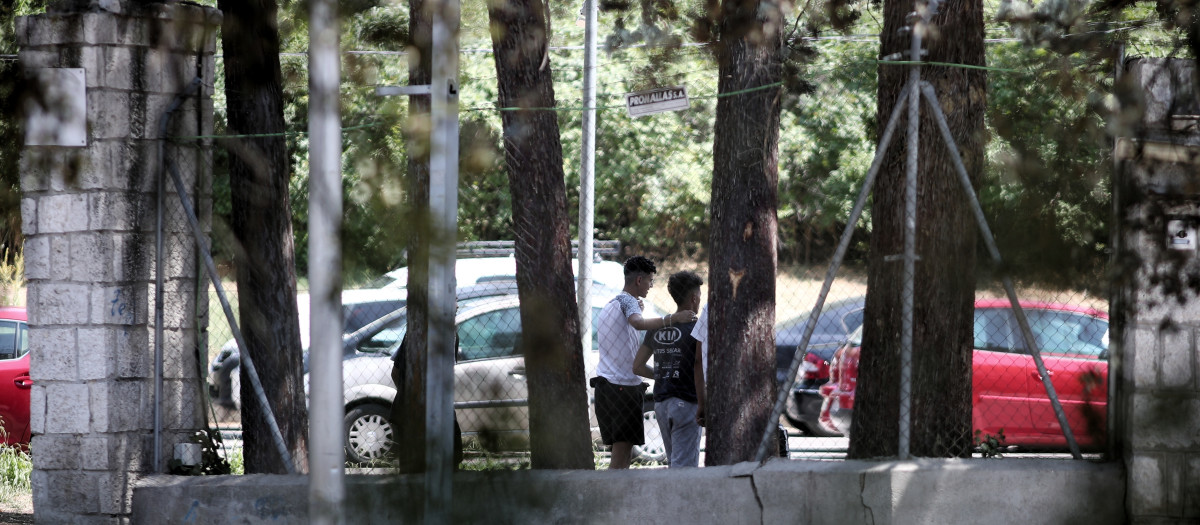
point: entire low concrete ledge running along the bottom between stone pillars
(1007, 491)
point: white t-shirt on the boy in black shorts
(619, 341)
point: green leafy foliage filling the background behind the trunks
(1045, 189)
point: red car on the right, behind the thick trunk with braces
(1007, 390)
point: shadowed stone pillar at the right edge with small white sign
(1157, 306)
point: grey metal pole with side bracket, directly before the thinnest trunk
(445, 210)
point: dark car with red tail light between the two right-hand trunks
(837, 322)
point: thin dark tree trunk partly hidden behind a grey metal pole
(409, 409)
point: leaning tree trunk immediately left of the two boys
(560, 436)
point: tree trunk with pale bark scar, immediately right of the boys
(745, 237)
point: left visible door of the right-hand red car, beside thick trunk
(1000, 389)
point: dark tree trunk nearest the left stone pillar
(262, 224)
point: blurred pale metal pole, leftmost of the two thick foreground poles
(327, 460)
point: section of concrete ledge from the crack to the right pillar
(943, 491)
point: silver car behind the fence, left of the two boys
(490, 383)
